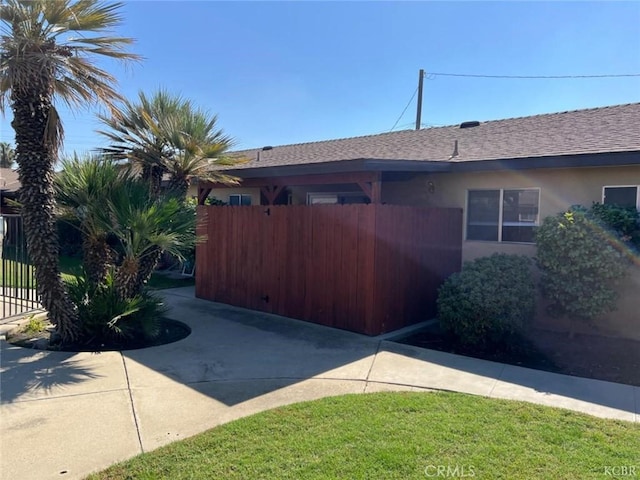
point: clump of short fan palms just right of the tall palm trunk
(110, 202)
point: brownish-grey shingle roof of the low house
(596, 130)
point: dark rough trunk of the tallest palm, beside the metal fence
(36, 155)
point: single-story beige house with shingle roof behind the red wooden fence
(505, 175)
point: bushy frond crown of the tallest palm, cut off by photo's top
(31, 44)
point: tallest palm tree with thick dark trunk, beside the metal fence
(40, 60)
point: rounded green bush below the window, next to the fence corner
(489, 301)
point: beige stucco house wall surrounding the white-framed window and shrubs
(559, 189)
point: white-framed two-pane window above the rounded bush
(502, 215)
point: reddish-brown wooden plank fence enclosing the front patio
(365, 268)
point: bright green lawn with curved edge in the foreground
(396, 436)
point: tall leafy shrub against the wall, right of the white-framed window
(581, 260)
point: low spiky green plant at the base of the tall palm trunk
(106, 317)
